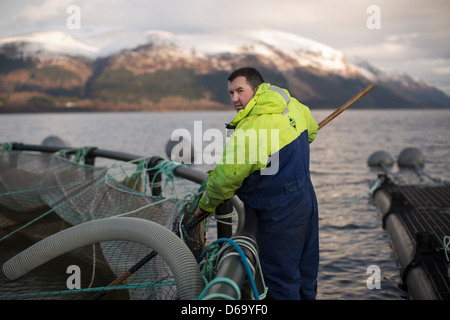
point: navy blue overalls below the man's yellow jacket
(287, 211)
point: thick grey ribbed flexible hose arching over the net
(174, 251)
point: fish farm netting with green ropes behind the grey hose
(44, 193)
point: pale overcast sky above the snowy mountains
(410, 36)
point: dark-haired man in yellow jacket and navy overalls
(274, 180)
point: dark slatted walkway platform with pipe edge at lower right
(417, 218)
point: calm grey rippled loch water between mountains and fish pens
(351, 237)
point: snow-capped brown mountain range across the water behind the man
(155, 69)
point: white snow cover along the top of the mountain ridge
(266, 43)
